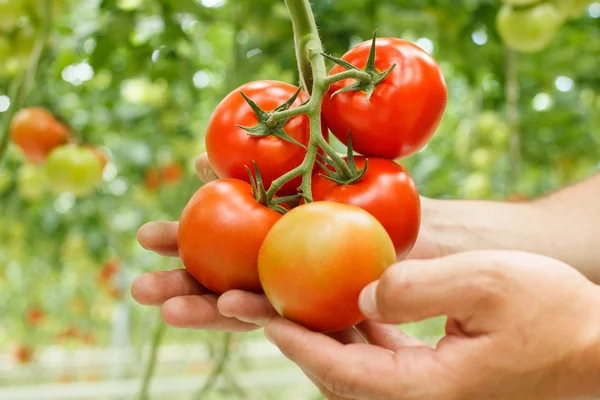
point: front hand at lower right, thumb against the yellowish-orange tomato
(520, 327)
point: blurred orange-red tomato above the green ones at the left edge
(36, 132)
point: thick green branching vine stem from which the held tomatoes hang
(312, 69)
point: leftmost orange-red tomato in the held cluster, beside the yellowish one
(220, 232)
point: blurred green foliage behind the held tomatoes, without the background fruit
(141, 78)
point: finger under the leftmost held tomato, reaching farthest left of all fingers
(154, 288)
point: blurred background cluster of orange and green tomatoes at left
(53, 156)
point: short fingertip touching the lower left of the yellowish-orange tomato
(245, 306)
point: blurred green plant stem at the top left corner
(21, 90)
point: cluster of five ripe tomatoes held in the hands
(313, 257)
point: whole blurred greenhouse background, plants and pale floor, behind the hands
(129, 85)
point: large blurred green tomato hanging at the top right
(528, 30)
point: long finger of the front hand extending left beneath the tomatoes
(348, 371)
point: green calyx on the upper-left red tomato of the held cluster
(266, 126)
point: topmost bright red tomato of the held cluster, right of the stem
(404, 110)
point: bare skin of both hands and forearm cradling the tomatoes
(559, 225)
